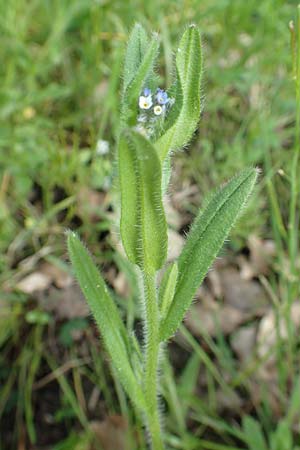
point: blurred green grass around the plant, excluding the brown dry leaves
(60, 78)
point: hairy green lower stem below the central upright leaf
(151, 361)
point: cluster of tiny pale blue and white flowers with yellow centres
(152, 107)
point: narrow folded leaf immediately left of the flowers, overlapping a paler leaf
(143, 74)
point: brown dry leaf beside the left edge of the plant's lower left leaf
(66, 303)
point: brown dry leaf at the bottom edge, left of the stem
(110, 433)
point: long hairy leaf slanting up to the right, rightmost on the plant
(204, 242)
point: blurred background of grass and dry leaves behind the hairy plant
(59, 106)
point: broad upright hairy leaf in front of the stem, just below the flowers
(143, 224)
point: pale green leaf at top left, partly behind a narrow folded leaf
(135, 52)
